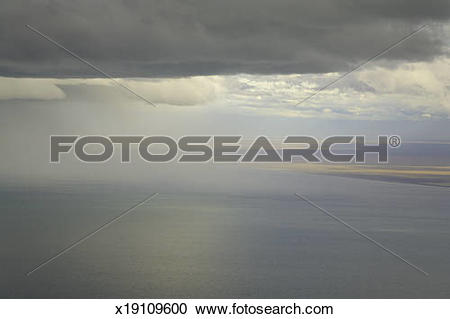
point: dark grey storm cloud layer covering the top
(173, 38)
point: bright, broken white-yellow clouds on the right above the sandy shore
(412, 90)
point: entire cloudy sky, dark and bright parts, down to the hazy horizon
(222, 67)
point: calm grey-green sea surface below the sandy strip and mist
(235, 241)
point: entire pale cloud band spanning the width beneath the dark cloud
(411, 90)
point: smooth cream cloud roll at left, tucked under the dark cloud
(179, 91)
